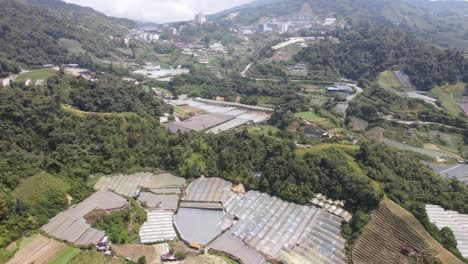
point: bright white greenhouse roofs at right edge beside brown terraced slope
(457, 222)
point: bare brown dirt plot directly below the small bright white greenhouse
(153, 253)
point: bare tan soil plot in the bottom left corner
(39, 250)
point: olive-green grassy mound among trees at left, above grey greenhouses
(33, 188)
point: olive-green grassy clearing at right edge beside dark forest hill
(449, 95)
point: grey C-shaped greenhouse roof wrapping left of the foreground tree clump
(70, 225)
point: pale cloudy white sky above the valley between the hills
(158, 10)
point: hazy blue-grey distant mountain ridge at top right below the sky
(441, 22)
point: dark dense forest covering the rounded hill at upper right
(367, 49)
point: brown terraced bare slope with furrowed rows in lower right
(390, 229)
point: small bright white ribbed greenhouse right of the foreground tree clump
(158, 227)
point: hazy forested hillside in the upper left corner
(38, 34)
